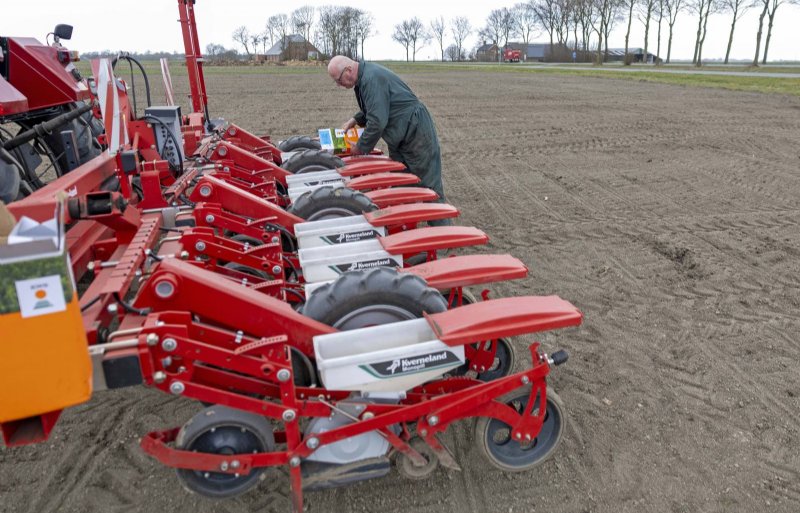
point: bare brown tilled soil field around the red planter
(668, 215)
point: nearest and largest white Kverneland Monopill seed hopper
(389, 358)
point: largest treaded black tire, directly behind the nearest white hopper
(373, 297)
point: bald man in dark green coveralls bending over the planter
(389, 110)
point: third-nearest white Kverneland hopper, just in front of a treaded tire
(331, 232)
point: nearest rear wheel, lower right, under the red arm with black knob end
(494, 440)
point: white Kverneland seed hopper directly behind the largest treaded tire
(329, 262)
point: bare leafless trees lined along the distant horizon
(583, 26)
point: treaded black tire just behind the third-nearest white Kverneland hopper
(330, 202)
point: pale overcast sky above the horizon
(143, 25)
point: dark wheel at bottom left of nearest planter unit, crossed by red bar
(223, 430)
